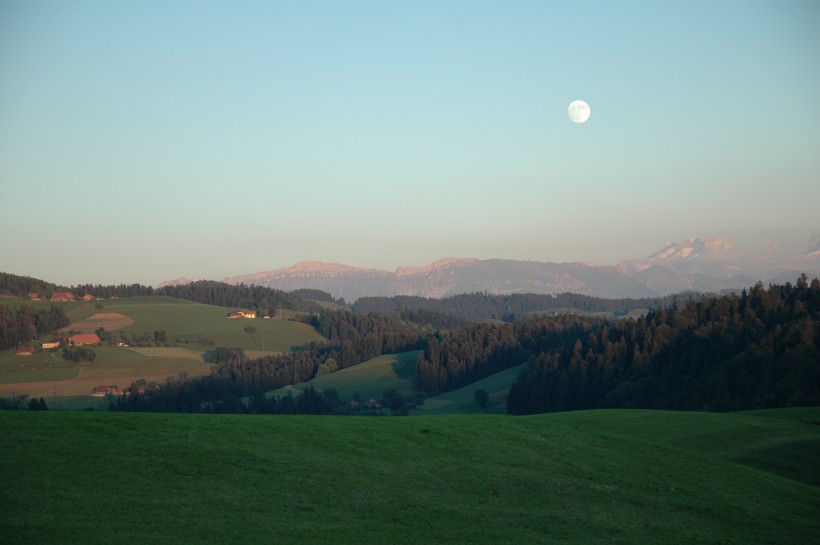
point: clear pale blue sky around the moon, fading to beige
(142, 141)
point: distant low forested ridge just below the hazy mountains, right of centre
(483, 306)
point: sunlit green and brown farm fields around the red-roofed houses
(191, 327)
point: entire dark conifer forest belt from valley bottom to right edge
(753, 350)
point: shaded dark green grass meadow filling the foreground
(614, 477)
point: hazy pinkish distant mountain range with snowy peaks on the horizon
(710, 265)
